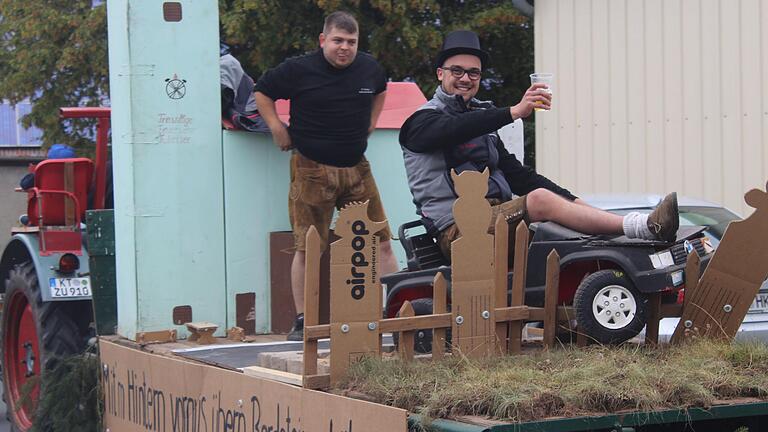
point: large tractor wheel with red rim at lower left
(34, 335)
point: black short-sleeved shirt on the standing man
(330, 107)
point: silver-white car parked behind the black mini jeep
(693, 212)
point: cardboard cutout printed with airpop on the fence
(355, 289)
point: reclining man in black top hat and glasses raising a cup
(455, 131)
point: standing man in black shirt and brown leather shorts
(336, 97)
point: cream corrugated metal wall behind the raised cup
(655, 96)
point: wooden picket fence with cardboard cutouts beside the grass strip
(482, 322)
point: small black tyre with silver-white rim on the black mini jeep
(609, 309)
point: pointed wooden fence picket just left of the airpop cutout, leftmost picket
(312, 256)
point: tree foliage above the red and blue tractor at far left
(54, 52)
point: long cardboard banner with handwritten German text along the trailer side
(155, 393)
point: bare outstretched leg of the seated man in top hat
(543, 204)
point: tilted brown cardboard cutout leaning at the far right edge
(721, 299)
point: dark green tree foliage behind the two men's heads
(404, 36)
